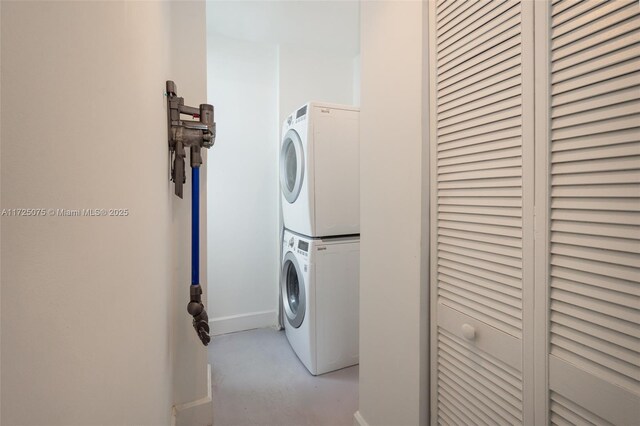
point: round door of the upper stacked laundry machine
(291, 166)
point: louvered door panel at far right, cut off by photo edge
(594, 212)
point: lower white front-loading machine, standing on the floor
(320, 281)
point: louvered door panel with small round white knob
(480, 122)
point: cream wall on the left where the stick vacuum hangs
(88, 305)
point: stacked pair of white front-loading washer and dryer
(320, 195)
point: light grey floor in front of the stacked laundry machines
(258, 380)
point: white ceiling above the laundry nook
(326, 25)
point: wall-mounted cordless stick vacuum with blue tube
(195, 135)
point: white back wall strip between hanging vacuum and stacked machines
(243, 191)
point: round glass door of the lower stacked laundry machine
(293, 291)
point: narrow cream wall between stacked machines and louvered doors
(393, 328)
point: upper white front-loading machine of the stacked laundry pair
(320, 170)
